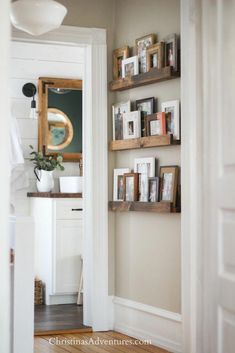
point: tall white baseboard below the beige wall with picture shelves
(145, 322)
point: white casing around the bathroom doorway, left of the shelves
(95, 164)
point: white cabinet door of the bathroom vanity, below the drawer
(67, 256)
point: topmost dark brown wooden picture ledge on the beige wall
(152, 76)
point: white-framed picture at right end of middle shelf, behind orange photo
(172, 120)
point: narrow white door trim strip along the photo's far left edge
(4, 178)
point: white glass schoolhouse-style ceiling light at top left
(37, 17)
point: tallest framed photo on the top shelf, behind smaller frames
(141, 46)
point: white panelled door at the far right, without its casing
(219, 175)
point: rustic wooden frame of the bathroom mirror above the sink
(44, 83)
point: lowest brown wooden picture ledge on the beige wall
(137, 206)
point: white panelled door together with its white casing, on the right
(208, 176)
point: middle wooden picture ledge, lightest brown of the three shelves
(143, 142)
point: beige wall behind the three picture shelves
(145, 247)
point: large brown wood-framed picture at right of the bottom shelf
(174, 170)
